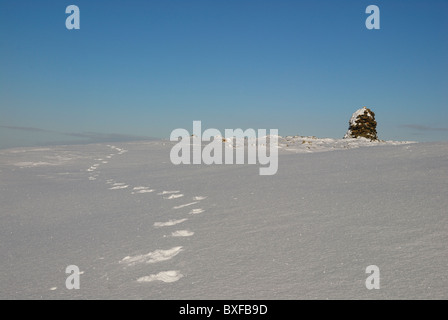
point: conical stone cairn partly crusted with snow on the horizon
(362, 124)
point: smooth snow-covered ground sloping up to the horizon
(139, 227)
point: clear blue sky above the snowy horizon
(144, 68)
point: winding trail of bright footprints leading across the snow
(158, 255)
